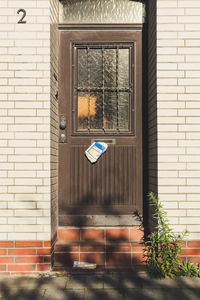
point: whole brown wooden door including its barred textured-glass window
(100, 97)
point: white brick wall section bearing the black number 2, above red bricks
(25, 120)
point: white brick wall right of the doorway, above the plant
(178, 32)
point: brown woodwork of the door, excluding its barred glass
(113, 185)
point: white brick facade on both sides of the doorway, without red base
(29, 152)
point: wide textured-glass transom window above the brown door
(101, 11)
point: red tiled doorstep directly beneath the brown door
(109, 248)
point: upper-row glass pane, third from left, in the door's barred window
(110, 68)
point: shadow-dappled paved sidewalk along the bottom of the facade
(90, 286)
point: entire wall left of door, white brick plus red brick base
(28, 134)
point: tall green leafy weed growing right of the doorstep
(163, 247)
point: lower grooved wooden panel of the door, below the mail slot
(109, 183)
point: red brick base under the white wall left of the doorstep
(24, 257)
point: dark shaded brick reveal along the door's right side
(150, 157)
